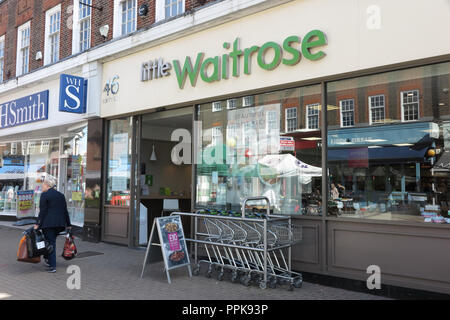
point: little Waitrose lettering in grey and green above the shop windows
(229, 63)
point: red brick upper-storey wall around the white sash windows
(14, 13)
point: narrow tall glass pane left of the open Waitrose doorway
(119, 162)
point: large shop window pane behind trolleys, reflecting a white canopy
(246, 157)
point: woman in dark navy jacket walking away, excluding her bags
(53, 218)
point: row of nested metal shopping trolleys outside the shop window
(250, 250)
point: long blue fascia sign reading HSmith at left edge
(24, 110)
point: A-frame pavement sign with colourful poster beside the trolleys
(173, 249)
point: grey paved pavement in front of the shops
(115, 275)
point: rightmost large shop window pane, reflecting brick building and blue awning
(397, 168)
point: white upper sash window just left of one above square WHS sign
(52, 34)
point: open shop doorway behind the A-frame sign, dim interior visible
(163, 186)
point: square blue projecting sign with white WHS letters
(72, 94)
